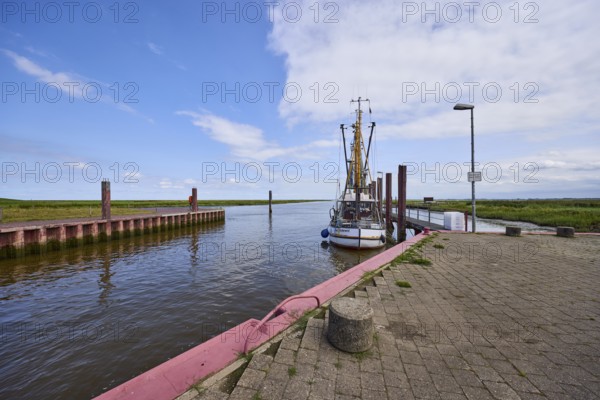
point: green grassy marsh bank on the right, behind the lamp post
(582, 214)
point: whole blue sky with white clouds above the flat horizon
(239, 98)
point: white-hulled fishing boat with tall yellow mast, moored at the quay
(356, 220)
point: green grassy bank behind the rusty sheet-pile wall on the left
(37, 210)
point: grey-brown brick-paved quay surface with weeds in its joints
(492, 317)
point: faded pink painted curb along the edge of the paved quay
(174, 377)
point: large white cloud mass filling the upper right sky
(379, 50)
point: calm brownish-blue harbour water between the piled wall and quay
(74, 324)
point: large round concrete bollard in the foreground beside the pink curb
(350, 325)
